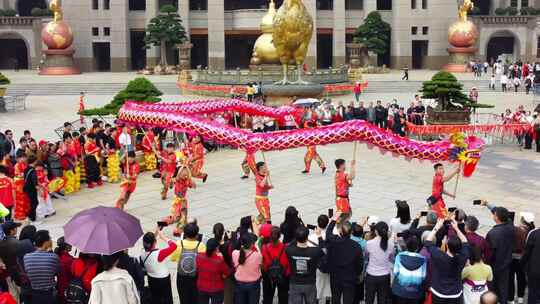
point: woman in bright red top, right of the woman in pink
(274, 275)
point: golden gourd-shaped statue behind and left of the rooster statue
(264, 51)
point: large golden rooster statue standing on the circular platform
(293, 28)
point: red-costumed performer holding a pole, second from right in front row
(343, 182)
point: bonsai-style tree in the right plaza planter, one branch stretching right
(445, 88)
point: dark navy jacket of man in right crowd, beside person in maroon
(501, 241)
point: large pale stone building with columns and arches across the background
(109, 33)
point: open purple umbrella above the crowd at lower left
(102, 230)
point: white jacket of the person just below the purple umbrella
(114, 286)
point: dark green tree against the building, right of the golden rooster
(374, 33)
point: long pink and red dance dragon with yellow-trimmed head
(189, 117)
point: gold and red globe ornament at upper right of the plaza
(463, 33)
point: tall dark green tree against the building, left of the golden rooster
(165, 28)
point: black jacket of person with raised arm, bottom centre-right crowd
(345, 257)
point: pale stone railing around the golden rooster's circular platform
(241, 77)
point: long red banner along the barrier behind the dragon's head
(449, 129)
